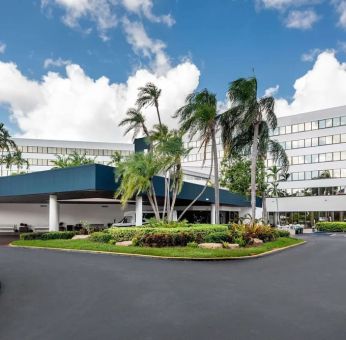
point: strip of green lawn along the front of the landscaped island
(167, 251)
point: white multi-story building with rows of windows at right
(315, 143)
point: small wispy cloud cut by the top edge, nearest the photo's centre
(145, 7)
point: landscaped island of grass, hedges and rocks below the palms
(175, 239)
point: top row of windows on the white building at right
(308, 126)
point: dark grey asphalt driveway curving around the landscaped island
(296, 294)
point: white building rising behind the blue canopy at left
(40, 153)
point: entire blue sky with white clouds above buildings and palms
(70, 69)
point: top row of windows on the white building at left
(67, 151)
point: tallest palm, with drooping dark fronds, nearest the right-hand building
(248, 113)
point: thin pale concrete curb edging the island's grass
(247, 257)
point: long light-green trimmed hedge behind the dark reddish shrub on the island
(198, 233)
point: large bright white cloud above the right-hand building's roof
(323, 86)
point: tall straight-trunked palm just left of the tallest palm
(199, 117)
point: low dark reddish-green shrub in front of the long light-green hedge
(163, 239)
